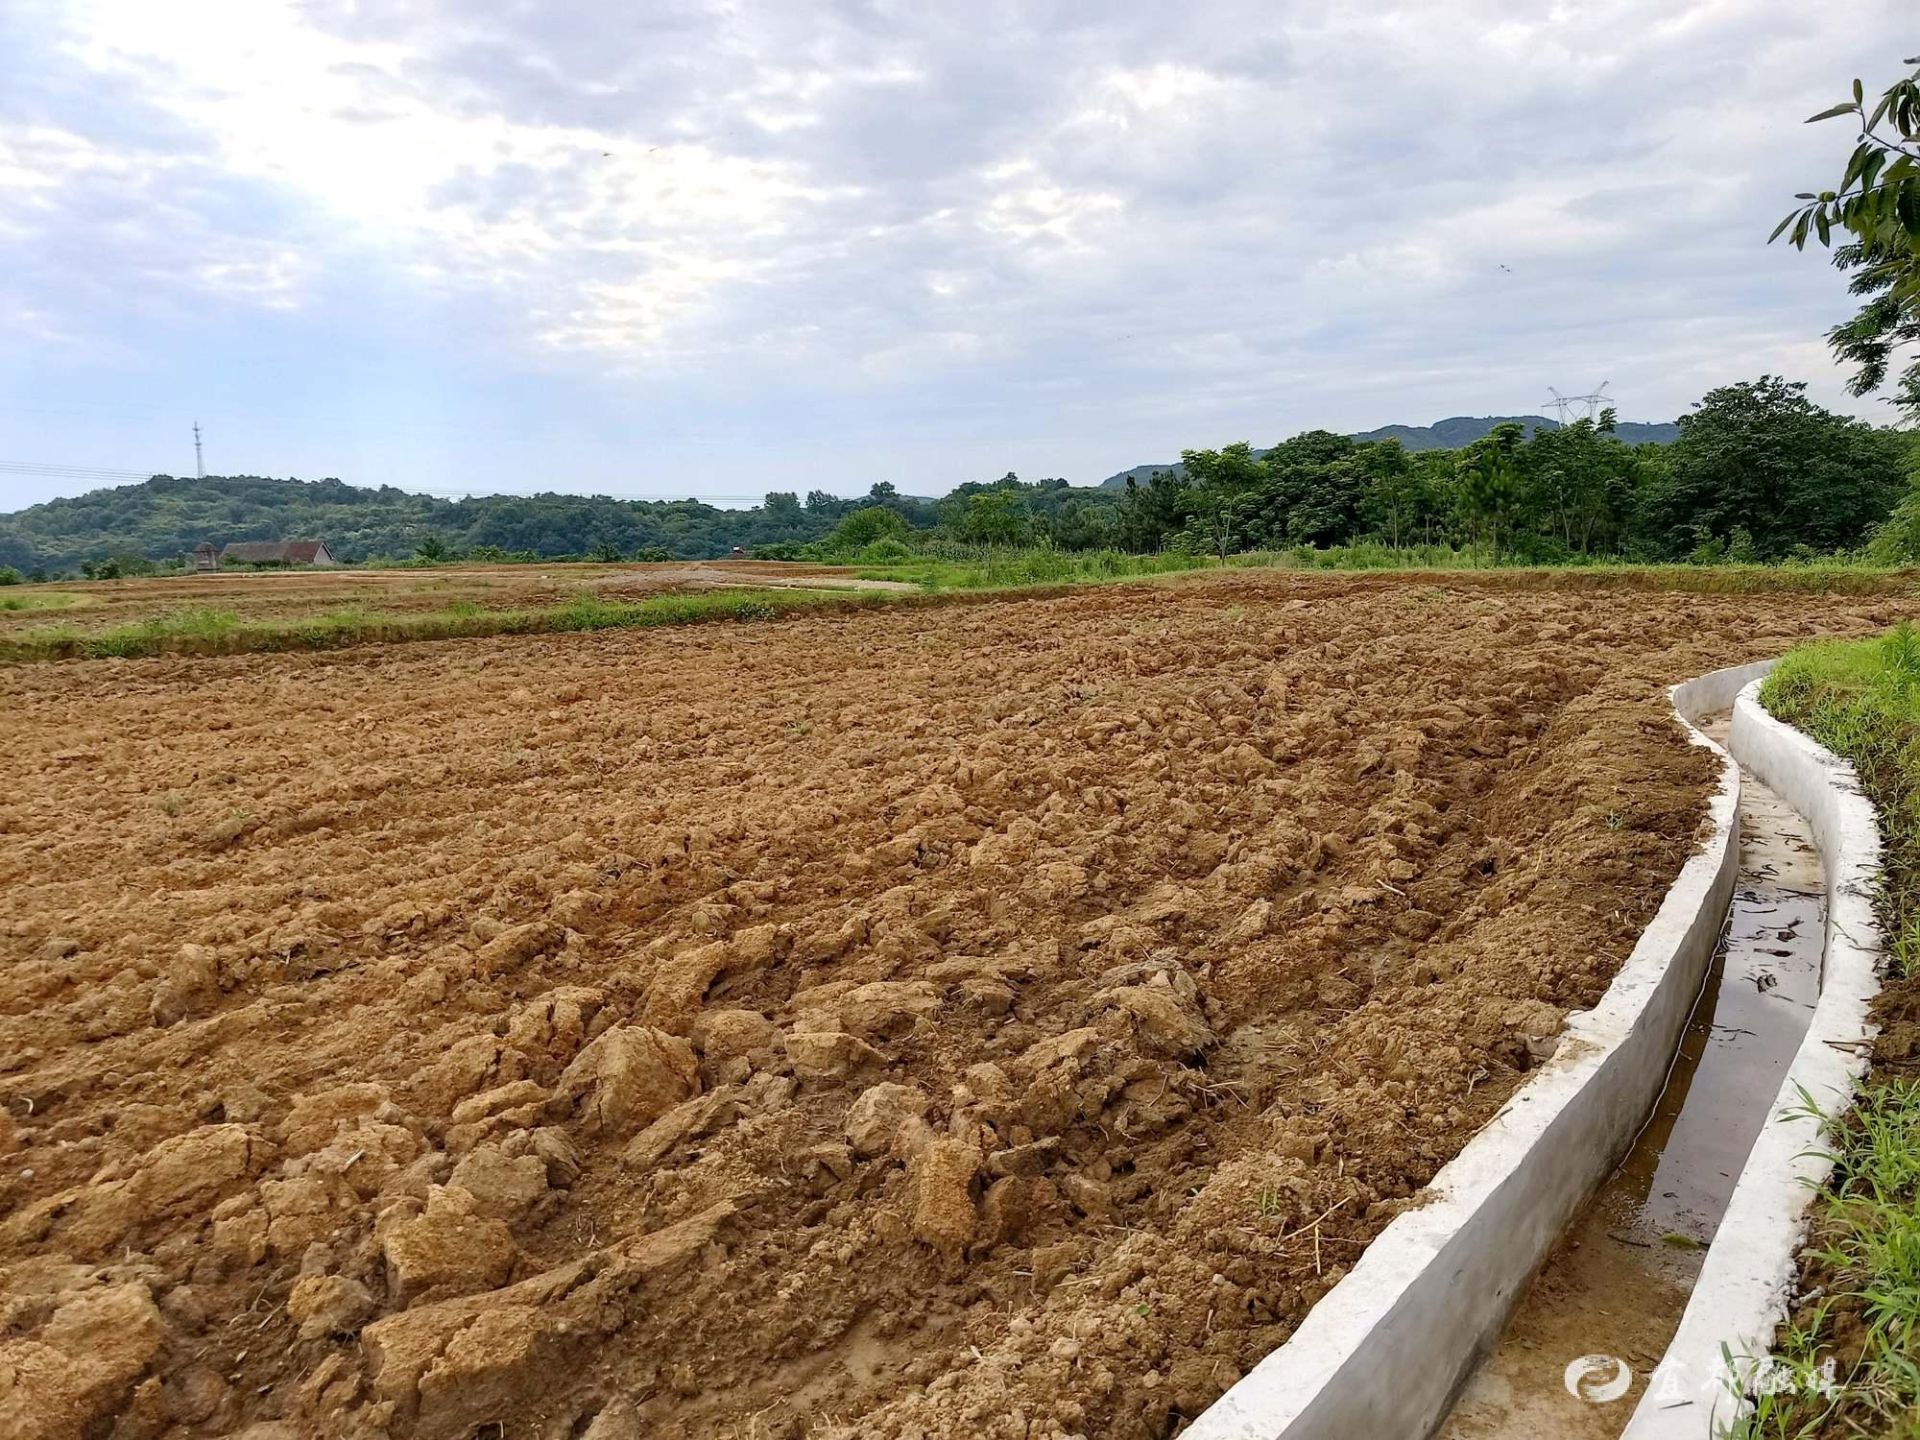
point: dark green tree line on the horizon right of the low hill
(1758, 473)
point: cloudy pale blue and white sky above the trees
(725, 249)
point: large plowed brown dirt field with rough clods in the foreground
(988, 1020)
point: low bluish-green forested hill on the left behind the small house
(166, 517)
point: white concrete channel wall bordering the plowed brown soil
(1387, 1349)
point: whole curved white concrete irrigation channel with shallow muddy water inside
(1668, 1251)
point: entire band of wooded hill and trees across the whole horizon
(1758, 473)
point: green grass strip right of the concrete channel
(1861, 1268)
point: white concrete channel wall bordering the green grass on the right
(1746, 1284)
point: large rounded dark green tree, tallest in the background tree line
(1762, 456)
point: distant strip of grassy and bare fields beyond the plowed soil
(237, 613)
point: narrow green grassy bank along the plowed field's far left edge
(224, 633)
